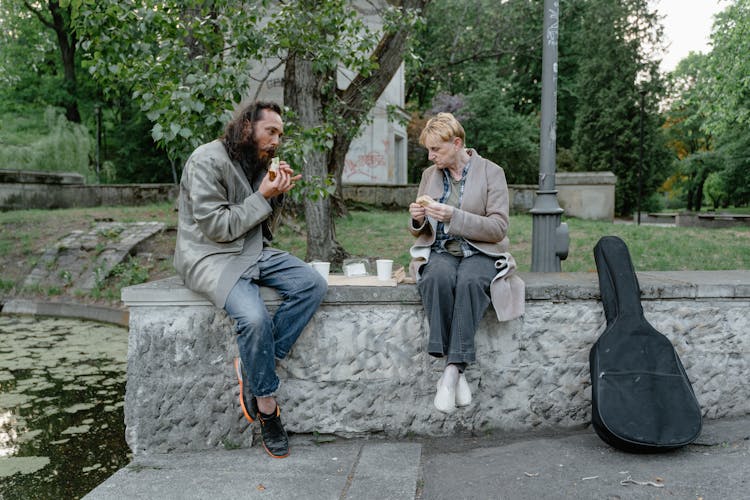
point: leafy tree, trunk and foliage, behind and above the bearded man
(188, 63)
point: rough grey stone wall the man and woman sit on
(360, 366)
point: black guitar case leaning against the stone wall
(642, 400)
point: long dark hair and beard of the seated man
(240, 147)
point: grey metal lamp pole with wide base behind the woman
(549, 238)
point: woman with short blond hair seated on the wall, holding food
(461, 232)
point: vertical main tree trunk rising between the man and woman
(303, 94)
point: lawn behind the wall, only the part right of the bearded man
(383, 234)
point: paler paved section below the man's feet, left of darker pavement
(350, 469)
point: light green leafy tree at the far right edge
(709, 114)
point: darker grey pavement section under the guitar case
(579, 465)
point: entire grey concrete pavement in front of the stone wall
(548, 465)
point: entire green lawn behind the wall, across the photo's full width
(375, 233)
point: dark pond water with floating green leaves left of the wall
(62, 391)
